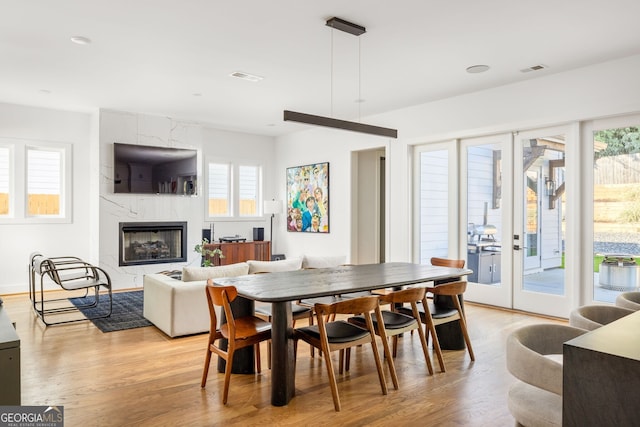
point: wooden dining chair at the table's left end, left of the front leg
(240, 332)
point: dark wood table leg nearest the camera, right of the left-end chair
(282, 356)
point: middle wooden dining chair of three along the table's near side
(396, 323)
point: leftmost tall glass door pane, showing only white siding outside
(434, 205)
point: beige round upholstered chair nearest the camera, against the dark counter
(534, 357)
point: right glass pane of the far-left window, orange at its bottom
(44, 170)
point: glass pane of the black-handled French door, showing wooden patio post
(544, 222)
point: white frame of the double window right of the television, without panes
(234, 191)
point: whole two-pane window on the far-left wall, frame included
(35, 182)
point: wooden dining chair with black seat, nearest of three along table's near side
(338, 335)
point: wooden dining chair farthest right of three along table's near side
(433, 315)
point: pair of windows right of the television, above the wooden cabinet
(234, 191)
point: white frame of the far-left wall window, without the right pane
(18, 213)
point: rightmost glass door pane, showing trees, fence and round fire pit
(616, 209)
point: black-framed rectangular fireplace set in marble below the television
(152, 242)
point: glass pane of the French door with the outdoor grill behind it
(484, 213)
